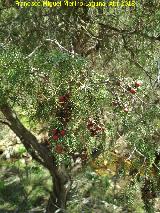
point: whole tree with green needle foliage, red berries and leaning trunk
(66, 68)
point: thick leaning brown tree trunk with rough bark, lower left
(41, 154)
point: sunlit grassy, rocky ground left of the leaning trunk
(24, 185)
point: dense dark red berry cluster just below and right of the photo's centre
(93, 127)
